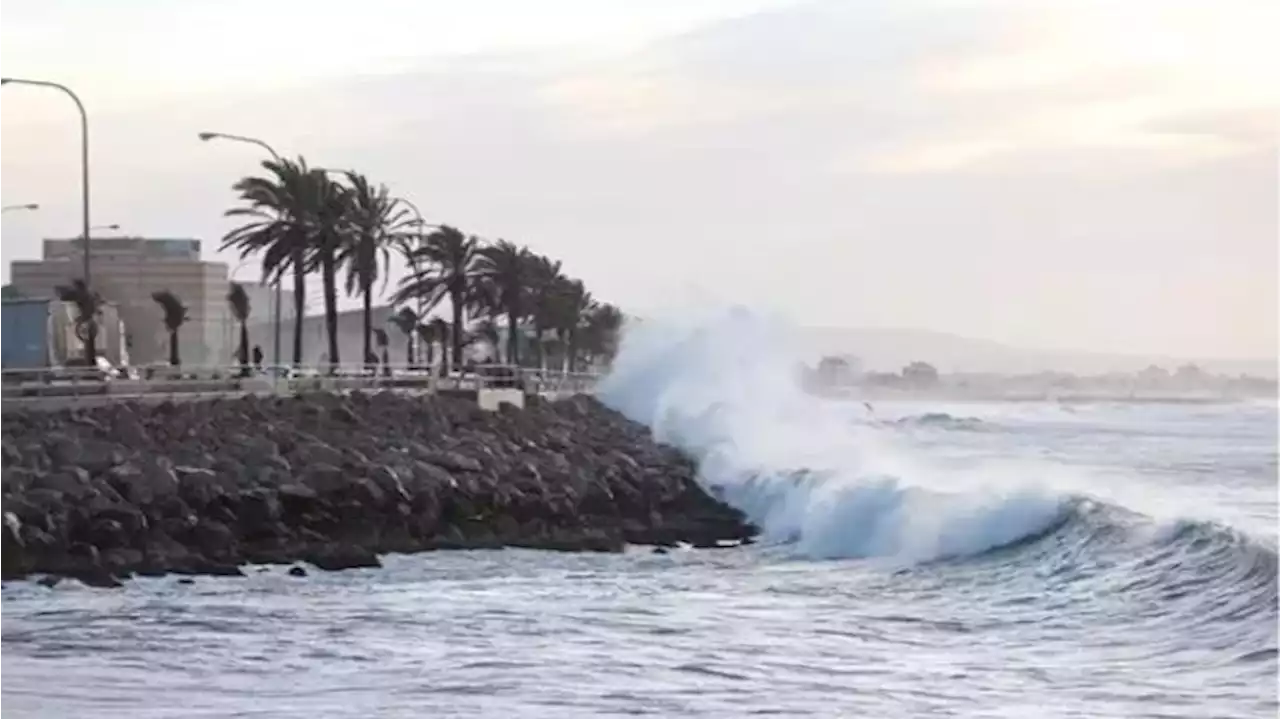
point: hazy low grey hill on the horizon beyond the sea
(893, 349)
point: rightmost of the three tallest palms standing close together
(378, 222)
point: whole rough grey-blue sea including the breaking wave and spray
(917, 558)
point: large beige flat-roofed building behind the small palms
(127, 271)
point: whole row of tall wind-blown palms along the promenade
(301, 222)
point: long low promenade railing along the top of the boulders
(58, 387)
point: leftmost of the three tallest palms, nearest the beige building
(278, 212)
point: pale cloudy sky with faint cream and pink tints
(1075, 175)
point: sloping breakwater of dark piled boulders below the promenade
(104, 493)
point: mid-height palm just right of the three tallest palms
(446, 267)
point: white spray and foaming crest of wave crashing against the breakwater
(724, 388)
